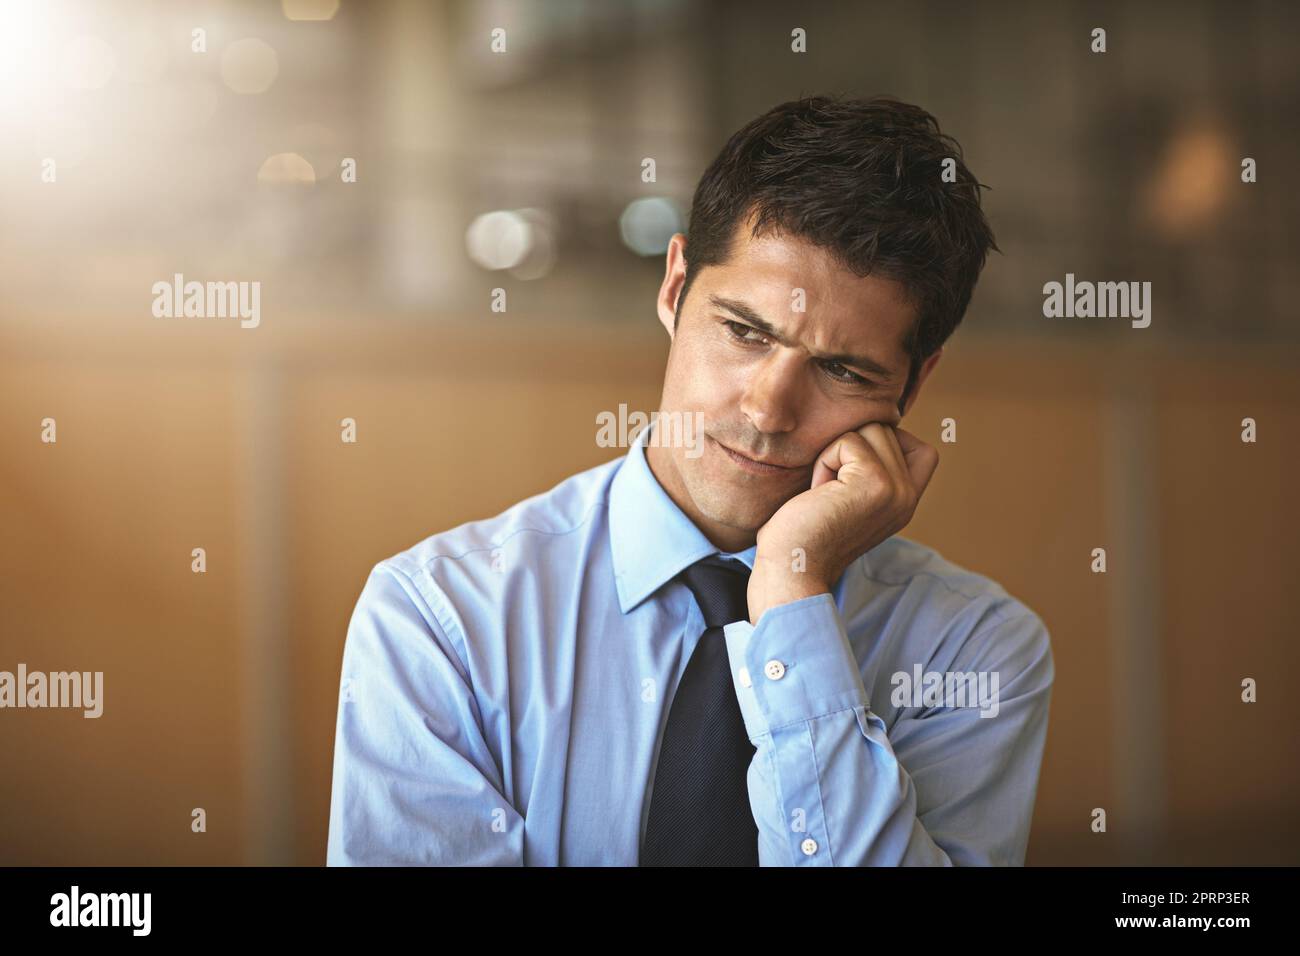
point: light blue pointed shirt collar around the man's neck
(652, 540)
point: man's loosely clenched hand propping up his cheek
(866, 486)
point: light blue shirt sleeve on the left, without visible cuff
(415, 782)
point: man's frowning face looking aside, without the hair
(779, 397)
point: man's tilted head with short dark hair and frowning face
(825, 228)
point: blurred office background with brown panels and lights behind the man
(523, 171)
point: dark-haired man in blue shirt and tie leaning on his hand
(720, 651)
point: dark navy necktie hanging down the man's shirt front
(700, 814)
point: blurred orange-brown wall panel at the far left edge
(96, 577)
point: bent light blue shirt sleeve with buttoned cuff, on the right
(947, 786)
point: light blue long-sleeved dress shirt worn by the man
(506, 687)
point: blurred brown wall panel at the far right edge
(1230, 546)
